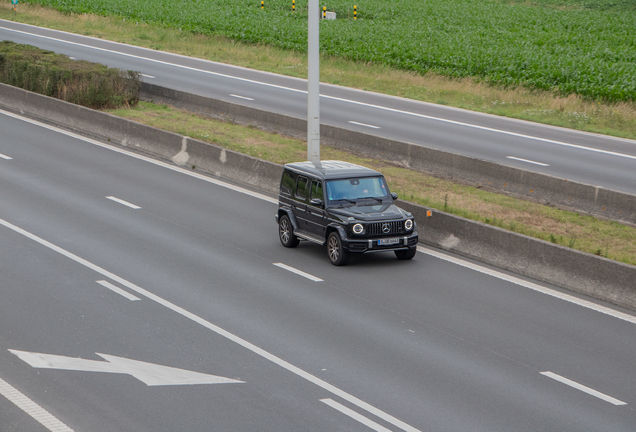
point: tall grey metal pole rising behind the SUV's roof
(313, 83)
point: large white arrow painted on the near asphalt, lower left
(149, 373)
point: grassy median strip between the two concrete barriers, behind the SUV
(605, 238)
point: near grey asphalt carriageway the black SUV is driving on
(429, 344)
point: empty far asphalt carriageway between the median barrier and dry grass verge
(589, 158)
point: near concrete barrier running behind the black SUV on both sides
(580, 272)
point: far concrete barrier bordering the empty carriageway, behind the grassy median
(537, 187)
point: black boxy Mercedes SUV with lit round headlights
(345, 205)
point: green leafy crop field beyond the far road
(586, 47)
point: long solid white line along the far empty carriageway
(379, 107)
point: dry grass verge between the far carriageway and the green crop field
(539, 106)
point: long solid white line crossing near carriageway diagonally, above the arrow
(220, 331)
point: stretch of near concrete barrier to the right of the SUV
(577, 271)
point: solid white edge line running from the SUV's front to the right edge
(530, 285)
